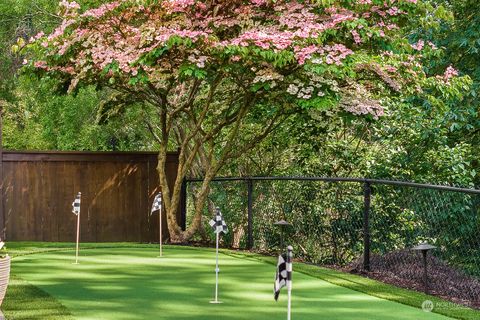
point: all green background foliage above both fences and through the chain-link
(432, 137)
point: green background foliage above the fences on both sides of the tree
(415, 141)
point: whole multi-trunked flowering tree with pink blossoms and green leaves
(211, 69)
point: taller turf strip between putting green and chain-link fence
(376, 288)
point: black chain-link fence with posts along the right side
(362, 226)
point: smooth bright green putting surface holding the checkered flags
(133, 283)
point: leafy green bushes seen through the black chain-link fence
(327, 220)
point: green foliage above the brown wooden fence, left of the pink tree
(37, 113)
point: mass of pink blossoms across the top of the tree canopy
(125, 35)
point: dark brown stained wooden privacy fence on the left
(117, 191)
